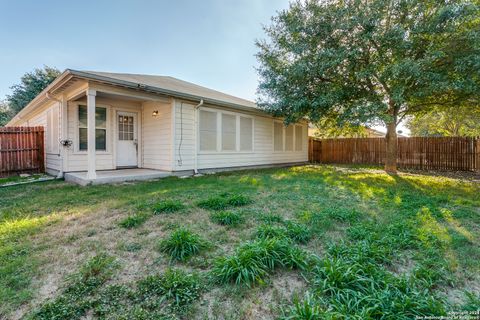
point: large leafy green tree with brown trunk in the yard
(370, 60)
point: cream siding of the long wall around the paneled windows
(262, 154)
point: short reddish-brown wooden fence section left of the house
(21, 150)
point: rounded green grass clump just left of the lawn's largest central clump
(182, 244)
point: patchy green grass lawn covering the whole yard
(314, 242)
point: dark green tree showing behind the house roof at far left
(31, 84)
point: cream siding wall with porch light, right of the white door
(157, 136)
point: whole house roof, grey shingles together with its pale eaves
(150, 83)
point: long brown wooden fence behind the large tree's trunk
(436, 153)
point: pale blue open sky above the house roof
(208, 42)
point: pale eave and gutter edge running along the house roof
(69, 76)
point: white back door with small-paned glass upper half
(126, 139)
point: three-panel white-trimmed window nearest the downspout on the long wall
(225, 132)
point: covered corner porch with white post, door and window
(126, 129)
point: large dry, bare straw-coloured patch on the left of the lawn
(70, 242)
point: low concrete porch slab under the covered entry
(115, 176)
